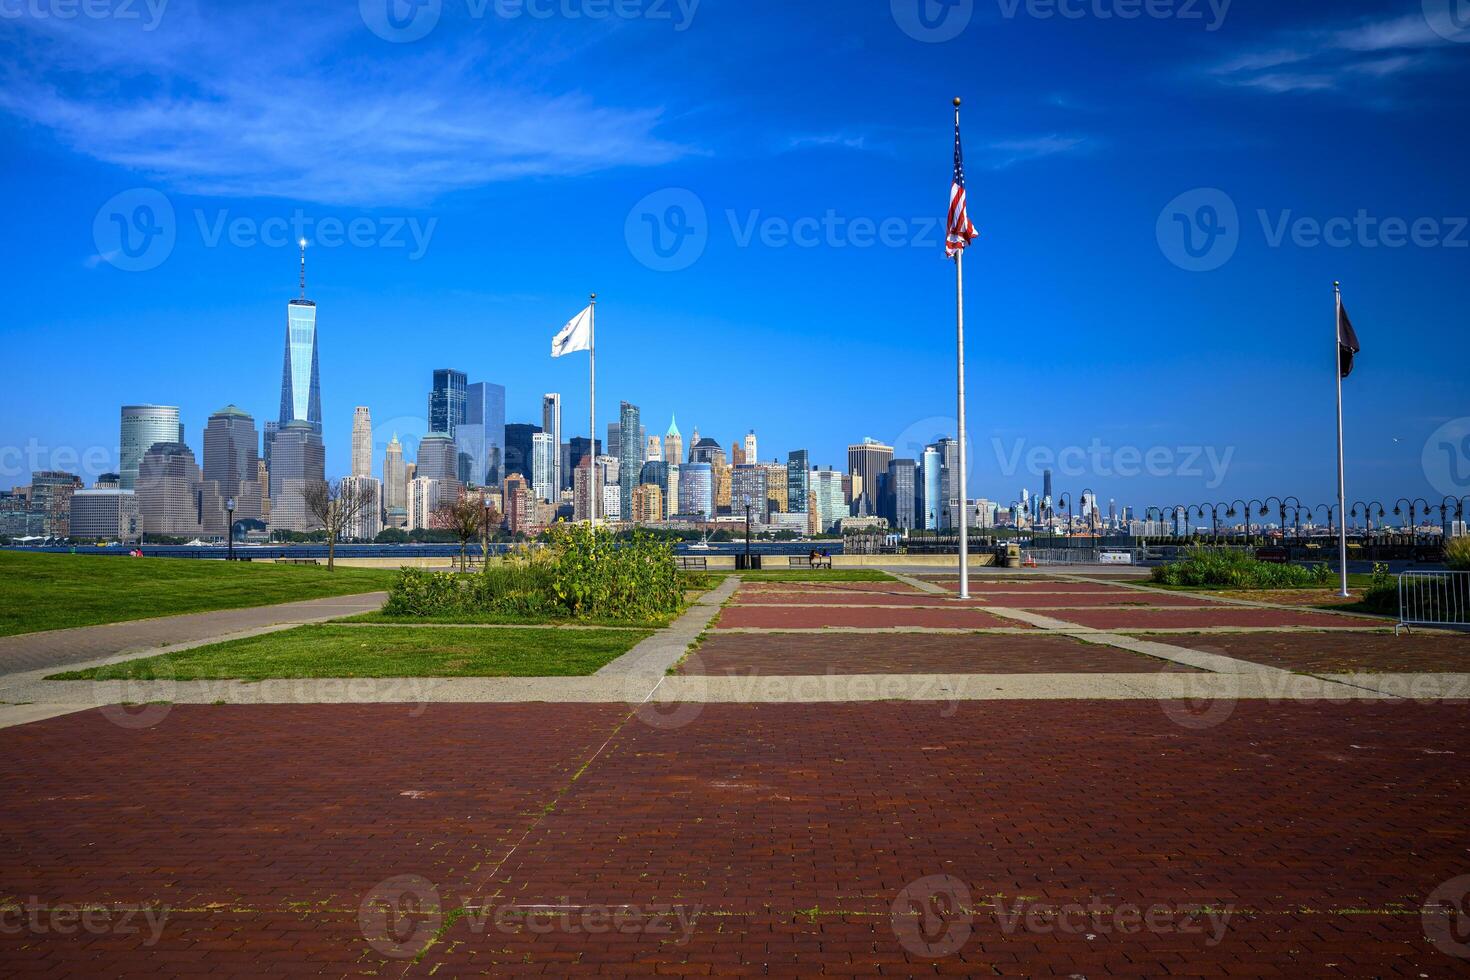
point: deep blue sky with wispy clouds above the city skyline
(467, 189)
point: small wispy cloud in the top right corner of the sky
(1334, 60)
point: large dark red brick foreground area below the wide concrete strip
(790, 829)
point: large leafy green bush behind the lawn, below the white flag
(580, 574)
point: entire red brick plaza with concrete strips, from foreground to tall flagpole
(1221, 835)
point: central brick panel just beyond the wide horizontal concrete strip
(743, 655)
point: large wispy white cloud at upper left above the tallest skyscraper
(220, 107)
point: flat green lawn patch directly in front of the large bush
(364, 652)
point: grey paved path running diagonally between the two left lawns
(65, 647)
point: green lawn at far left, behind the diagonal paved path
(57, 591)
